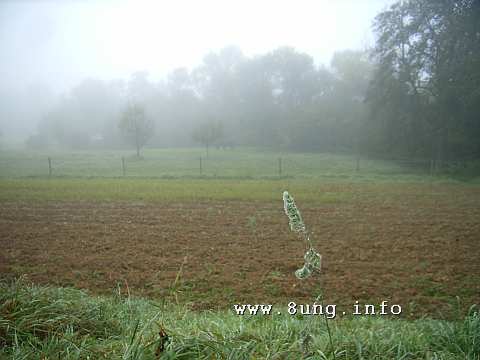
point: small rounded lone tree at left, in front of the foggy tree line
(135, 126)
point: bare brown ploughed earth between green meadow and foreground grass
(420, 252)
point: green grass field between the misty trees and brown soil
(174, 175)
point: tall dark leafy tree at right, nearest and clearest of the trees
(427, 77)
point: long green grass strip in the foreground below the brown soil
(52, 323)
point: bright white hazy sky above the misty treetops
(61, 42)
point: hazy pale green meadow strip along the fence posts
(224, 164)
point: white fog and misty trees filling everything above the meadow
(336, 76)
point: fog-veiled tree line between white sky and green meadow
(415, 93)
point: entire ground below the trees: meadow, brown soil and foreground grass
(93, 263)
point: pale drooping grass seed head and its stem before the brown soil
(312, 259)
